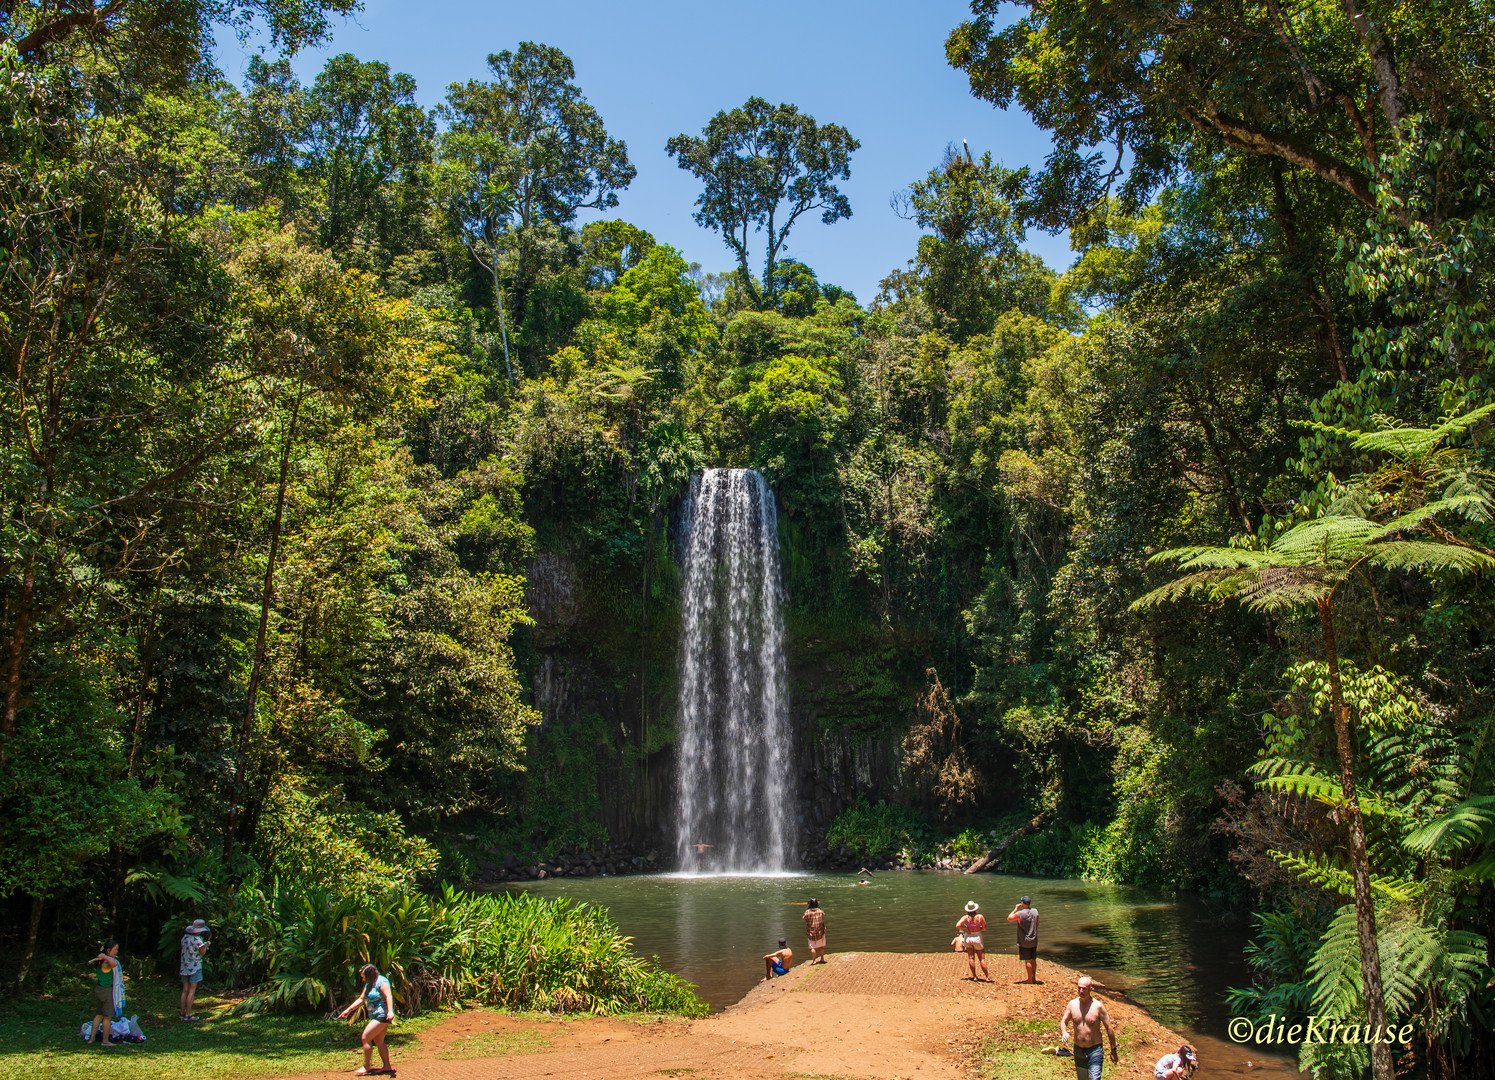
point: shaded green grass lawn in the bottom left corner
(40, 1040)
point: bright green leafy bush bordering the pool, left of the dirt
(502, 949)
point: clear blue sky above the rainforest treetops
(659, 70)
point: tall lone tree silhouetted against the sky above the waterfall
(766, 167)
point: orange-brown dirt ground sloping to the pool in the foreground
(886, 1016)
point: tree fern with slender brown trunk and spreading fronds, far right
(1385, 521)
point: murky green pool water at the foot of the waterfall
(1174, 954)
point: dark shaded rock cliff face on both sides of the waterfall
(573, 678)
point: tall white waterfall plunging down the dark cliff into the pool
(733, 710)
